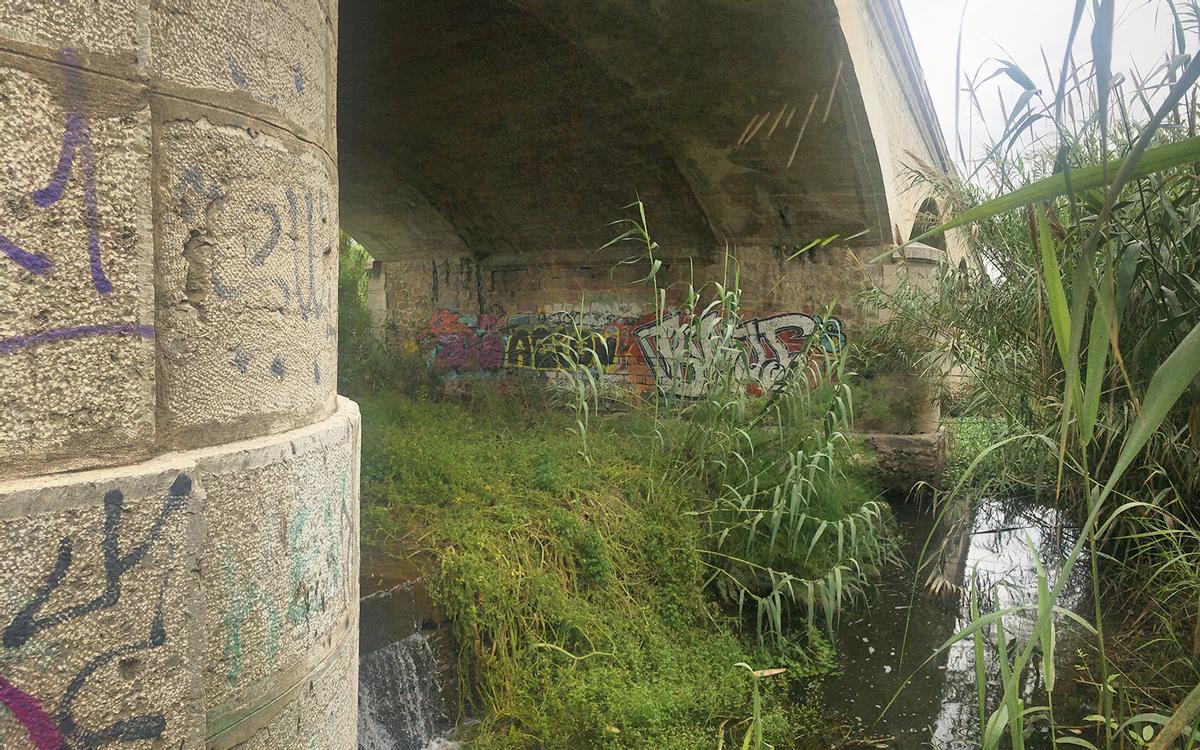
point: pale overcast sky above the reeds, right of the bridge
(1018, 31)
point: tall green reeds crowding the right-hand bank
(1079, 335)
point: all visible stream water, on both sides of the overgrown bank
(407, 676)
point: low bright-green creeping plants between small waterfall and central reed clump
(577, 592)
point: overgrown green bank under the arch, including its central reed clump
(667, 577)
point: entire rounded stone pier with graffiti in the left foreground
(178, 477)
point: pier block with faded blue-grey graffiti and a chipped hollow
(247, 281)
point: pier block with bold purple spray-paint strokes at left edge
(77, 367)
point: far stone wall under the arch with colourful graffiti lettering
(491, 317)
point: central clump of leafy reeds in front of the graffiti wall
(789, 527)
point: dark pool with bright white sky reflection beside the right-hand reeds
(901, 628)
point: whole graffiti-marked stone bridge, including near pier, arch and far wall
(178, 477)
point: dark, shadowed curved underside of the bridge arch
(519, 130)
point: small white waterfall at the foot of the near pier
(401, 703)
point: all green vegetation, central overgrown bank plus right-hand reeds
(628, 586)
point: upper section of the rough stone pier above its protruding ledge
(169, 267)
